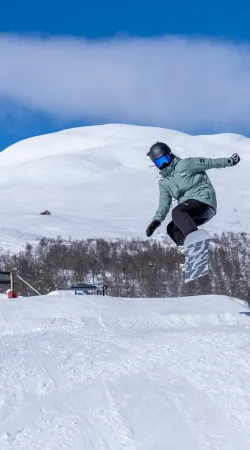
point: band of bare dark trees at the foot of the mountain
(131, 268)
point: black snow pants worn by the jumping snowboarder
(186, 217)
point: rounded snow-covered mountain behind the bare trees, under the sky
(97, 182)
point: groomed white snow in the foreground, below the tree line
(94, 373)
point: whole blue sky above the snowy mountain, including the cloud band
(120, 67)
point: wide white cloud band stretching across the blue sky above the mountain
(179, 83)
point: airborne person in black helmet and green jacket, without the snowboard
(186, 181)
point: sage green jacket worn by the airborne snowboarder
(186, 179)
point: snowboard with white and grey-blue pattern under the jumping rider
(196, 246)
